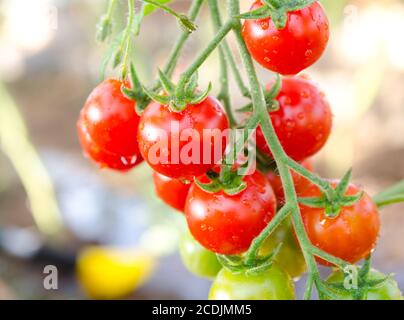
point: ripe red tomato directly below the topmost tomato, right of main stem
(303, 122)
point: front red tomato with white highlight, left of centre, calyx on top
(173, 143)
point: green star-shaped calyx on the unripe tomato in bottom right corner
(360, 284)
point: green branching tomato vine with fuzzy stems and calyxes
(333, 198)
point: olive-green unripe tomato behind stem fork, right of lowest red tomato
(290, 256)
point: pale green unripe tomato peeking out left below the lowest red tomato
(197, 259)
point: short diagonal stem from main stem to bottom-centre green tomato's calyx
(252, 253)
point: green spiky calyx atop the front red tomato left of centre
(190, 95)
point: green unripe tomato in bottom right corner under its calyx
(389, 290)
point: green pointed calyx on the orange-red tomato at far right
(335, 200)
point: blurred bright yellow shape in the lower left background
(107, 273)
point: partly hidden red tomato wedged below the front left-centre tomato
(173, 192)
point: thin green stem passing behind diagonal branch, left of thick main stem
(224, 94)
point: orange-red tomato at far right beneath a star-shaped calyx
(352, 235)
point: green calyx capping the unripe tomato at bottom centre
(238, 264)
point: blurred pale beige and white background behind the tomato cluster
(53, 198)
